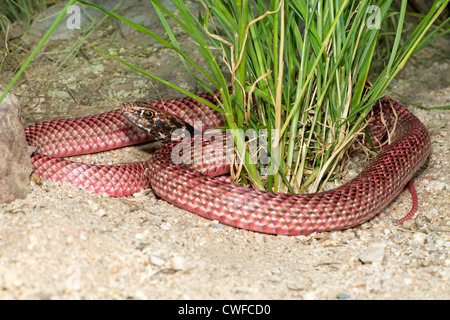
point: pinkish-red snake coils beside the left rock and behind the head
(67, 137)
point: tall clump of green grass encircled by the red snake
(303, 65)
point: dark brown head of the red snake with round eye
(154, 121)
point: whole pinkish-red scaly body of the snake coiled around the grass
(216, 198)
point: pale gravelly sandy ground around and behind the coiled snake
(65, 243)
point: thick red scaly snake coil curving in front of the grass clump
(301, 214)
